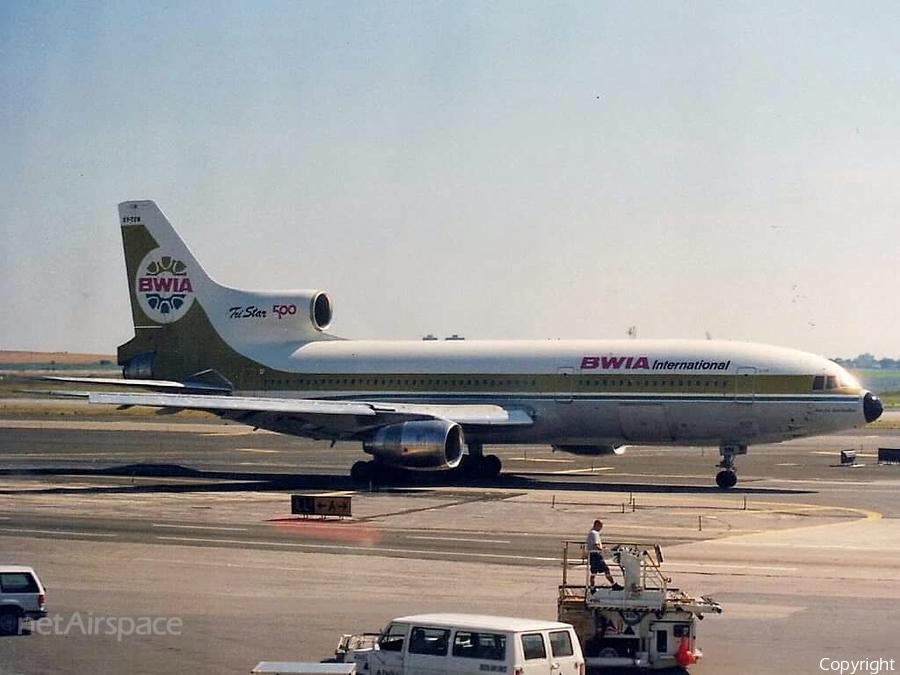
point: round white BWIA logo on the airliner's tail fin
(163, 287)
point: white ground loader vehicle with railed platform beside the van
(646, 624)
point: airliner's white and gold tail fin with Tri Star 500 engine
(186, 324)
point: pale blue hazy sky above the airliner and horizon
(499, 170)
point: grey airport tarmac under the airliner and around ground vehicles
(155, 517)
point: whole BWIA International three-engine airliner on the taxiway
(266, 359)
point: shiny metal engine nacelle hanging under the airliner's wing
(421, 445)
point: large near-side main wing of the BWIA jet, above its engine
(321, 418)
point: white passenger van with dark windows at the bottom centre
(471, 644)
